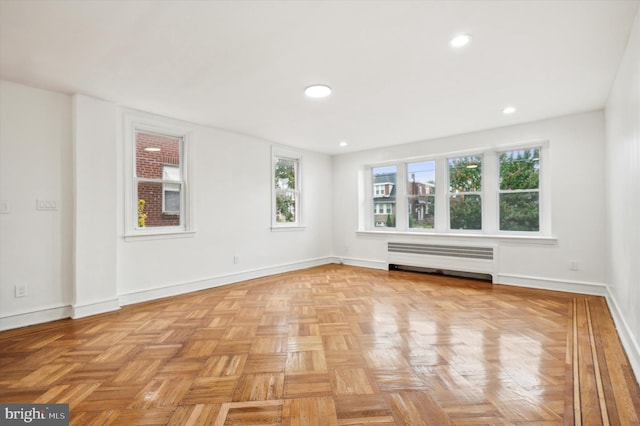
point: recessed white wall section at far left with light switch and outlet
(35, 164)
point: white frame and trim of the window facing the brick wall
(134, 122)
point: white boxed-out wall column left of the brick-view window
(95, 196)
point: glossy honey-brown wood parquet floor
(333, 345)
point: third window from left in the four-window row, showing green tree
(465, 193)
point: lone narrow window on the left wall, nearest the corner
(286, 189)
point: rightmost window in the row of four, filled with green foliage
(519, 192)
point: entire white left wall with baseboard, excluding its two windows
(75, 260)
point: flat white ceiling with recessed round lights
(243, 65)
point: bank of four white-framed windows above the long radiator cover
(490, 192)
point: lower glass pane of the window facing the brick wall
(150, 205)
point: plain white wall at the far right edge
(623, 196)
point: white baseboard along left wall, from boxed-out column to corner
(217, 281)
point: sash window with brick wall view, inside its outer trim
(158, 182)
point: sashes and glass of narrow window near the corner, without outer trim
(286, 190)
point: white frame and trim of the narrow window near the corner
(278, 153)
